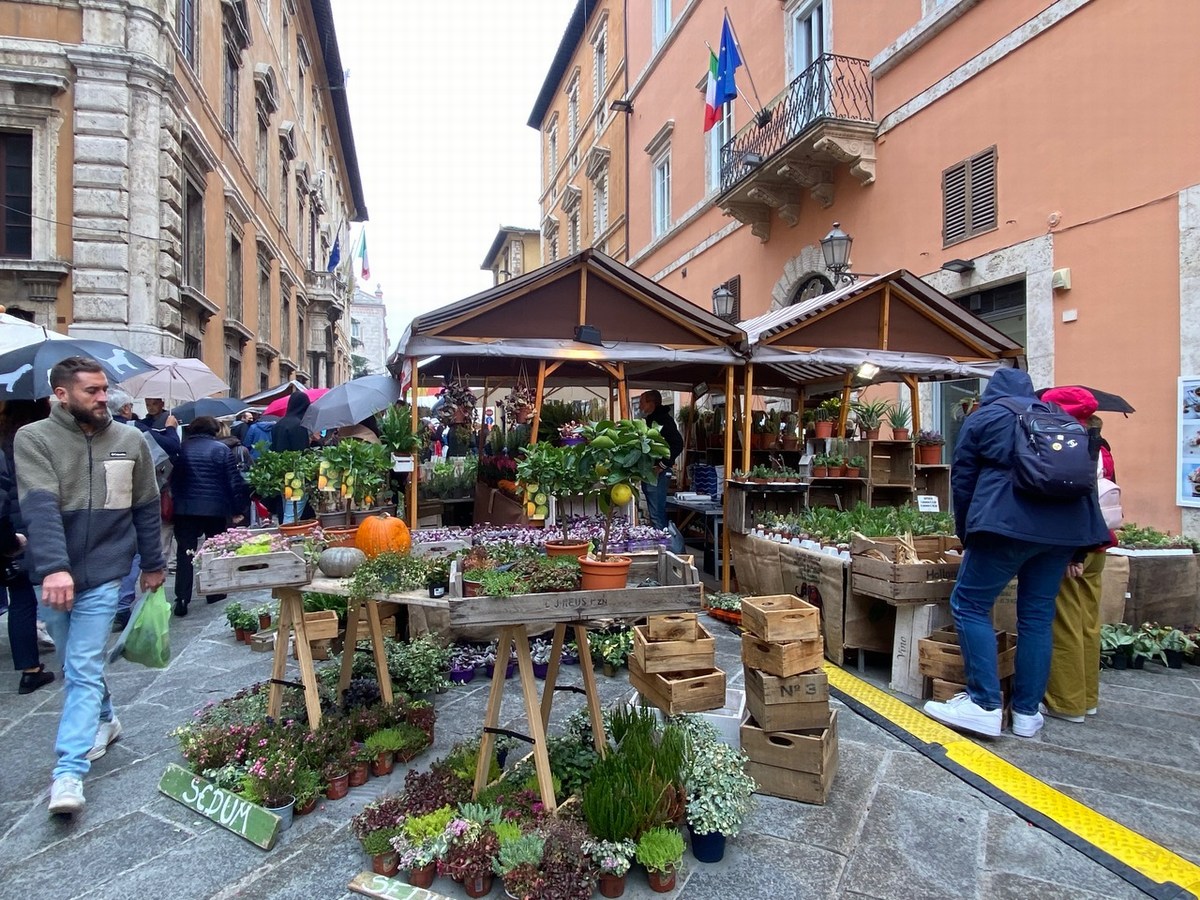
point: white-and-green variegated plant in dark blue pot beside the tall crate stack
(719, 797)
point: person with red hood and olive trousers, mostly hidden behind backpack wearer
(1075, 688)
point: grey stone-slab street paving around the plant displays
(897, 825)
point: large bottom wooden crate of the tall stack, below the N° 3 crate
(797, 765)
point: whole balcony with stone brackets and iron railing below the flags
(824, 119)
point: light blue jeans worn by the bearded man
(81, 635)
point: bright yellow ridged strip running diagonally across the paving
(1168, 872)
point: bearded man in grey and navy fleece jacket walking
(92, 502)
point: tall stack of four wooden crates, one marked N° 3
(790, 734)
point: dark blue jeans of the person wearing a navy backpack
(989, 563)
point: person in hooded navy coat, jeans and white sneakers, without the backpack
(1007, 533)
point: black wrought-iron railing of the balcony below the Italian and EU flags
(832, 88)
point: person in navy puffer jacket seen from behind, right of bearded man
(209, 494)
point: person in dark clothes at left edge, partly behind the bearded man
(14, 574)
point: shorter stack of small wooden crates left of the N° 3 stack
(674, 665)
